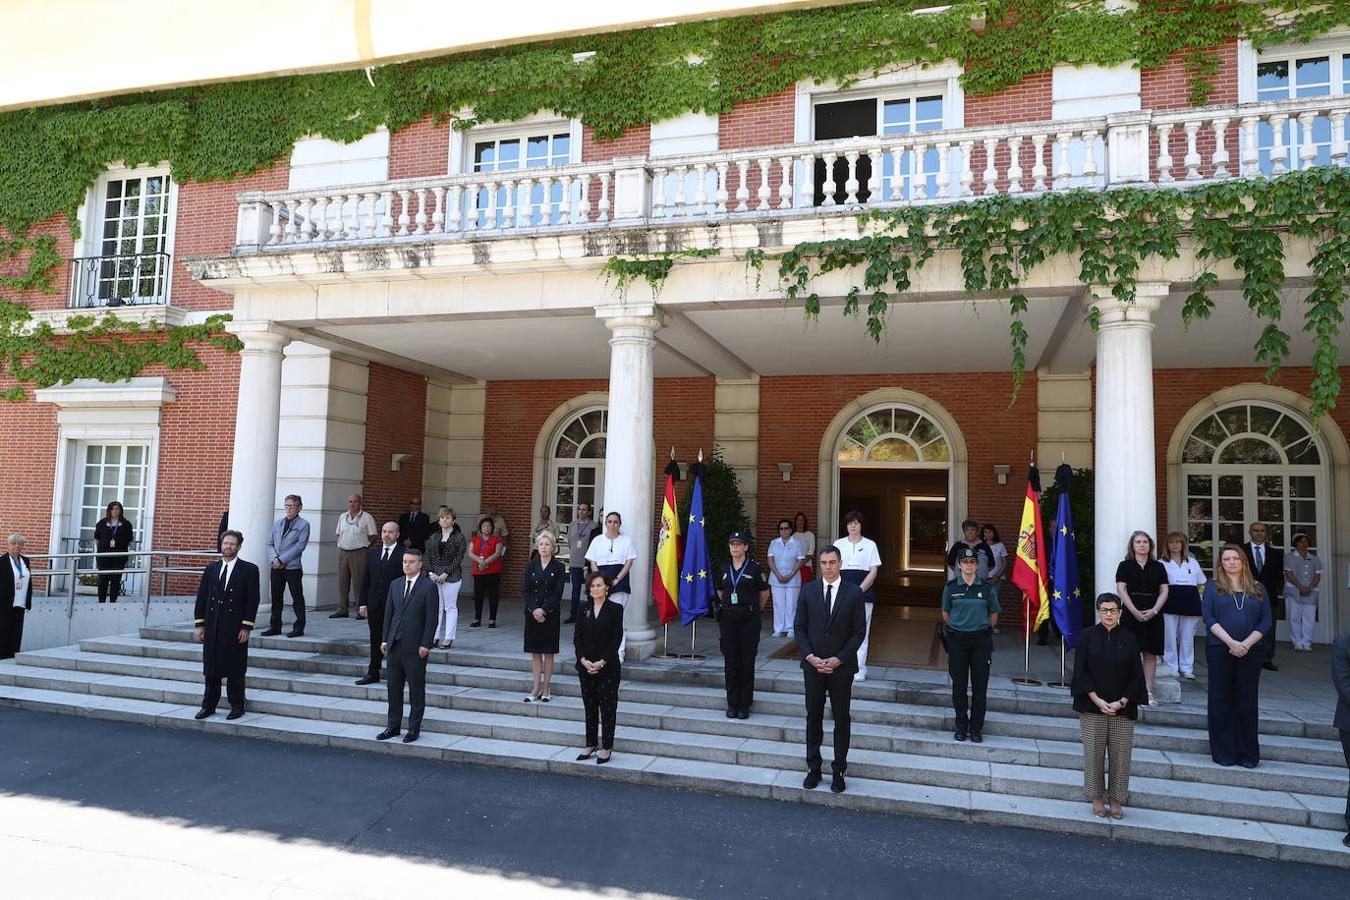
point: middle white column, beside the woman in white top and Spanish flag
(630, 457)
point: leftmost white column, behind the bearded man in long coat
(253, 482)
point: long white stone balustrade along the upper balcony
(1175, 148)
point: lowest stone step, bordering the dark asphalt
(1170, 829)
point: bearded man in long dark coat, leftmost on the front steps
(227, 608)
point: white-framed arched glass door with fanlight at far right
(1258, 461)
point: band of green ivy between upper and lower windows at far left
(107, 349)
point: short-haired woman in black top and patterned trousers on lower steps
(1108, 690)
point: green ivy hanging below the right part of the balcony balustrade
(1002, 240)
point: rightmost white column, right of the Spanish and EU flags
(1125, 474)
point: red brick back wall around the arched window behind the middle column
(518, 410)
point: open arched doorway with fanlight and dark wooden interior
(896, 463)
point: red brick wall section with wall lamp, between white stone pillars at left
(396, 411)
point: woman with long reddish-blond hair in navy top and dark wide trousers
(1237, 615)
